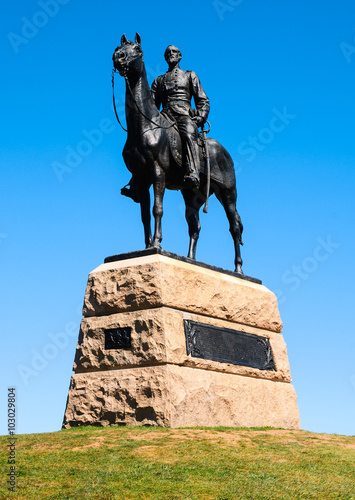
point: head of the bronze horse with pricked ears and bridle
(127, 58)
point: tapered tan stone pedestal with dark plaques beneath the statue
(145, 354)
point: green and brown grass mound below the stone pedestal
(199, 464)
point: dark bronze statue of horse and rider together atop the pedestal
(154, 151)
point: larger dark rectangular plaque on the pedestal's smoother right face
(228, 346)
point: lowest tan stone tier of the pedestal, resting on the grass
(179, 396)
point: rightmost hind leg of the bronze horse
(228, 198)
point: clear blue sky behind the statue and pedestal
(280, 77)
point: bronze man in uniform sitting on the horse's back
(174, 91)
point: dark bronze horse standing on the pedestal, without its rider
(151, 154)
